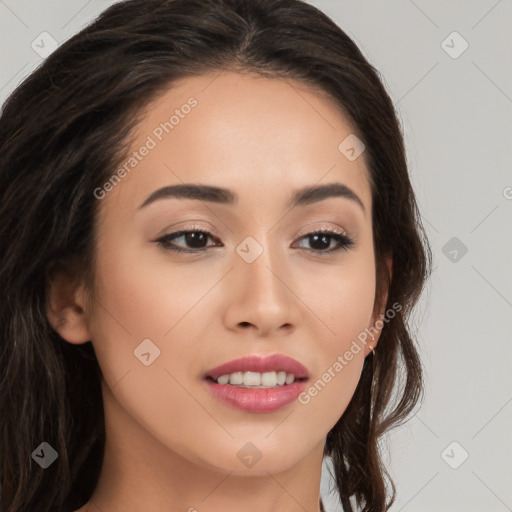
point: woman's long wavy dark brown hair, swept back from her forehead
(65, 129)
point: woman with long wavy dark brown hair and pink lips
(207, 228)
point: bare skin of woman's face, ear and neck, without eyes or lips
(171, 445)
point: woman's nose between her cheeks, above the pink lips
(263, 298)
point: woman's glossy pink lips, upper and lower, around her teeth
(254, 399)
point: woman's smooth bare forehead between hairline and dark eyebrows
(248, 133)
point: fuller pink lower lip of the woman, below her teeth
(257, 400)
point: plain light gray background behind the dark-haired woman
(455, 109)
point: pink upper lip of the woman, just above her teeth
(261, 364)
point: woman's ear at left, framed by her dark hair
(66, 306)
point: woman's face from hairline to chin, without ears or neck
(256, 284)
